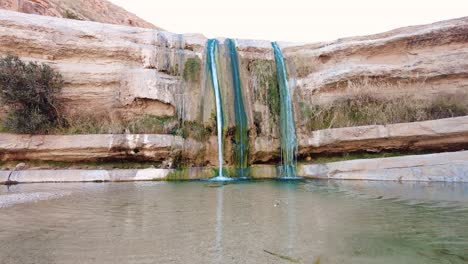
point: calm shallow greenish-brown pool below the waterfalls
(245, 222)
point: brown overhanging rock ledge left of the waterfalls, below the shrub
(73, 148)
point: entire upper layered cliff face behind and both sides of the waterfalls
(126, 72)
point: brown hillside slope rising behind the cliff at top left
(93, 10)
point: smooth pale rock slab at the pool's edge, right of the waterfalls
(442, 167)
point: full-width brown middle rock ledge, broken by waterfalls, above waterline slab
(450, 134)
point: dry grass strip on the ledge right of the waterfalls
(365, 106)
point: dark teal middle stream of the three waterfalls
(241, 138)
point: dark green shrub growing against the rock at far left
(30, 91)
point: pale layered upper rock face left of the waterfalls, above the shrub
(105, 67)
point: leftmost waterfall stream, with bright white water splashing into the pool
(211, 63)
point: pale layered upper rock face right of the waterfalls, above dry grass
(426, 53)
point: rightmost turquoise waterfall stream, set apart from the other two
(287, 129)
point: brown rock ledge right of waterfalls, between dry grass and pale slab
(441, 134)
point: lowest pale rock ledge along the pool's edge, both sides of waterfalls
(442, 167)
